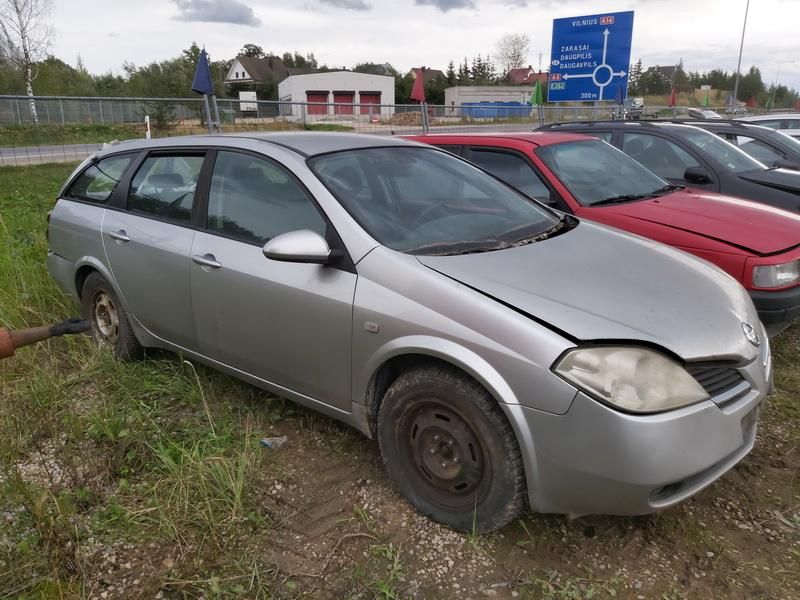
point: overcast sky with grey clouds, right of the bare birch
(407, 33)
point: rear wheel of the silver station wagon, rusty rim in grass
(110, 326)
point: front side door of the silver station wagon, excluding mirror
(289, 324)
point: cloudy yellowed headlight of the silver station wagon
(630, 378)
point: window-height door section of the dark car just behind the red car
(666, 158)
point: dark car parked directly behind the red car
(687, 155)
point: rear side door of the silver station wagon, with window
(147, 240)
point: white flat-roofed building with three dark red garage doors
(338, 93)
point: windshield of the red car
(597, 173)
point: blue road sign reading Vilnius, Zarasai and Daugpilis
(590, 57)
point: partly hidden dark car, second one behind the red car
(768, 146)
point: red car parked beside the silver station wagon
(757, 244)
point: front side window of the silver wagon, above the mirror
(253, 200)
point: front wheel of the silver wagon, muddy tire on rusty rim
(450, 450)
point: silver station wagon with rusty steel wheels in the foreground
(504, 355)
